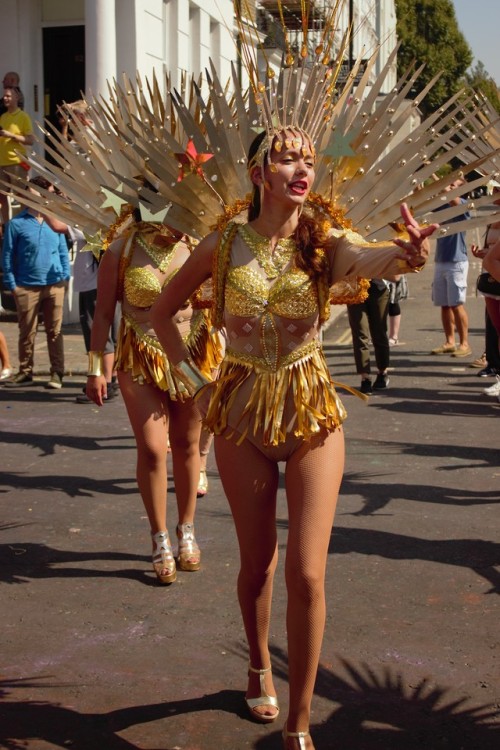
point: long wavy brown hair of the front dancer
(309, 235)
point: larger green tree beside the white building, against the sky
(429, 33)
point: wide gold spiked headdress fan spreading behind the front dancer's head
(183, 161)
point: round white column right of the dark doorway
(100, 45)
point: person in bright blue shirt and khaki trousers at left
(36, 270)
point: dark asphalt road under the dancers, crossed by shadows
(95, 656)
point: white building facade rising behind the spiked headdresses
(62, 48)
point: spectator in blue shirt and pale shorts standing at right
(449, 286)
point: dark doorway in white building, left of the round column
(63, 67)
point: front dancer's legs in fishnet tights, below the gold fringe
(250, 479)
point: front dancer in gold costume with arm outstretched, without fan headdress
(274, 400)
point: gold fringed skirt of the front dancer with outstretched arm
(251, 399)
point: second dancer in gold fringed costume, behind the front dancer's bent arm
(133, 271)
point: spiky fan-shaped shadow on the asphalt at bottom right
(380, 710)
